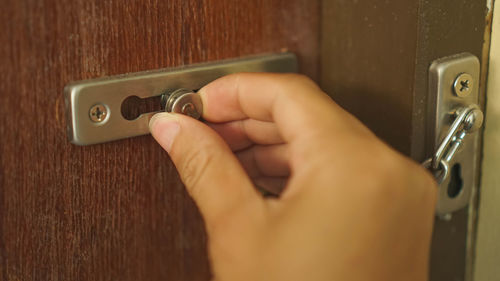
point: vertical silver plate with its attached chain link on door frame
(453, 117)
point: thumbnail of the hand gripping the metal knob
(164, 127)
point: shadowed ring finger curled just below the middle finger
(271, 160)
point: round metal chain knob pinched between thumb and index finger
(183, 101)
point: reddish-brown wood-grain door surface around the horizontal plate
(114, 211)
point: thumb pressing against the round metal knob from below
(212, 174)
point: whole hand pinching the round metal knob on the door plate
(351, 208)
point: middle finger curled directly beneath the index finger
(242, 134)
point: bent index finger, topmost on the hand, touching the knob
(294, 102)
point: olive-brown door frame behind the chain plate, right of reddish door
(375, 62)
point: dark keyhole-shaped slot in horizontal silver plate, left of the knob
(133, 106)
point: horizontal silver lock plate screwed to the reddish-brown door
(93, 107)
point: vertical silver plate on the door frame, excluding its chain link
(454, 84)
